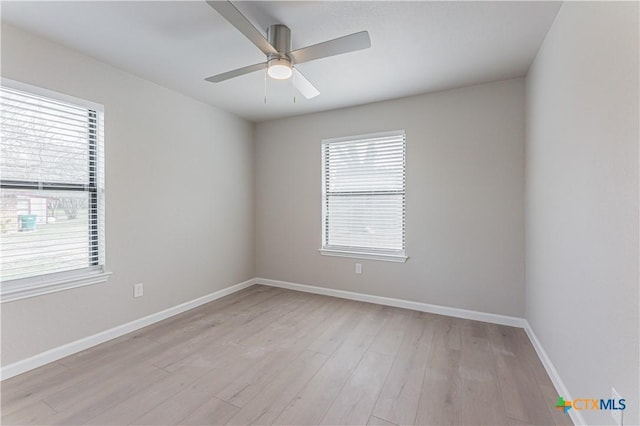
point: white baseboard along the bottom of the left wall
(87, 342)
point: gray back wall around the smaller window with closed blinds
(465, 199)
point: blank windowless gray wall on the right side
(582, 201)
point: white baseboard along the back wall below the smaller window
(399, 303)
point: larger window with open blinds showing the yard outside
(52, 198)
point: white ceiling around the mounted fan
(417, 47)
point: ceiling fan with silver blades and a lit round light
(281, 60)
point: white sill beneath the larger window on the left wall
(38, 287)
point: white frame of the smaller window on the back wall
(354, 252)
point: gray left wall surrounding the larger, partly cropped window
(179, 178)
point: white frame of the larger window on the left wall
(95, 272)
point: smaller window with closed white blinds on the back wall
(363, 196)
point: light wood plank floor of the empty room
(266, 355)
